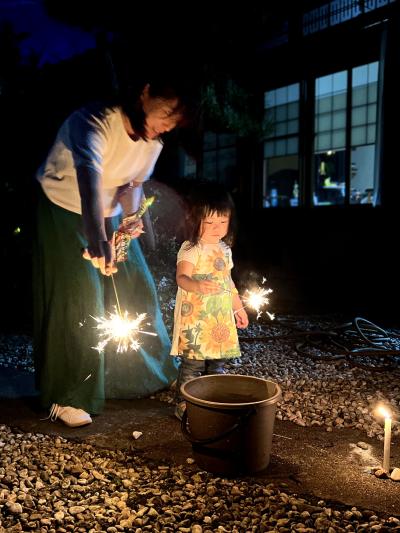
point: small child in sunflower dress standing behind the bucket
(207, 301)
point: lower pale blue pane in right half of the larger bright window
(362, 175)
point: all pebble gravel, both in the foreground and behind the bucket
(52, 484)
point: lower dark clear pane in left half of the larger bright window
(329, 183)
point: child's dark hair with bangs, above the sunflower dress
(204, 199)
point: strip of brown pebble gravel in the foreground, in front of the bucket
(50, 484)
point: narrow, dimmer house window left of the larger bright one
(281, 159)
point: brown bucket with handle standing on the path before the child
(229, 420)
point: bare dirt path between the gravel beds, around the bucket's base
(311, 461)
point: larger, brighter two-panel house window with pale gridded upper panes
(343, 162)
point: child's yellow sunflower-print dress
(204, 325)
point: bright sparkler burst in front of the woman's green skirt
(121, 329)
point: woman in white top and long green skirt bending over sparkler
(94, 173)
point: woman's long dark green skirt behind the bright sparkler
(68, 293)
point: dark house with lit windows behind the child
(319, 195)
